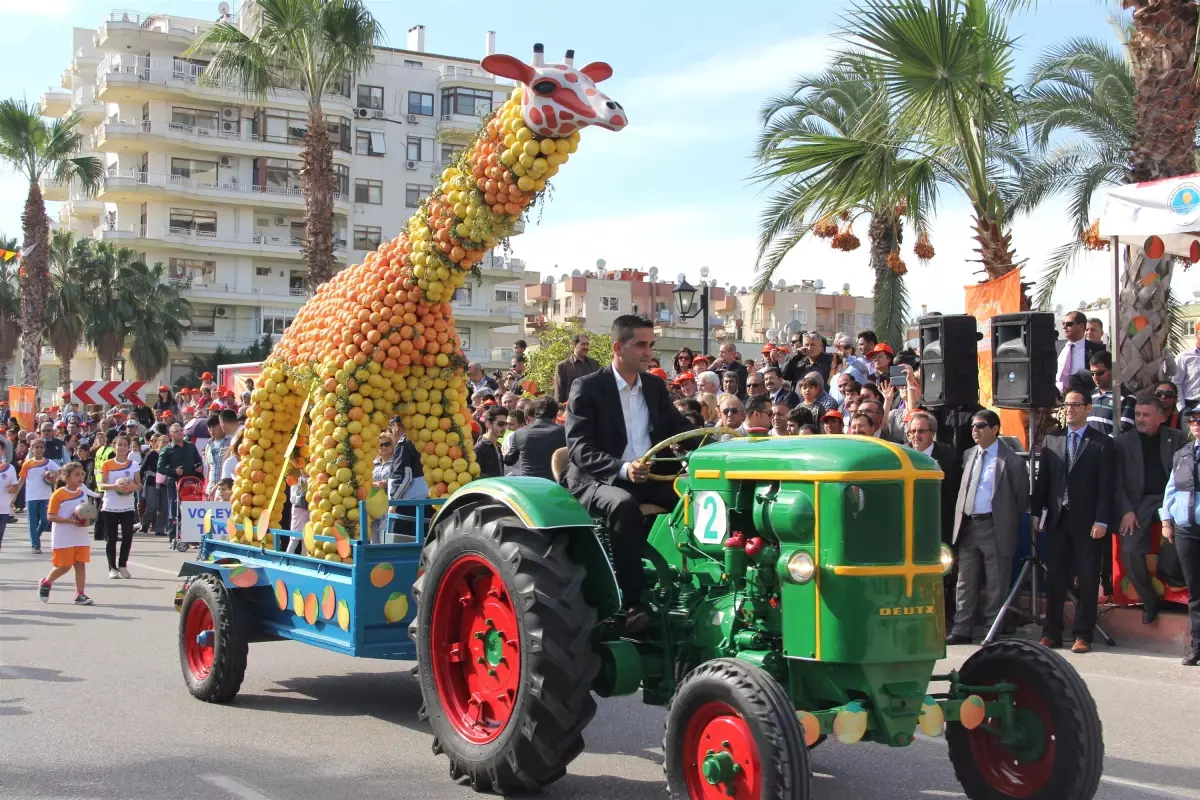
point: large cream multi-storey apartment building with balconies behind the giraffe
(208, 182)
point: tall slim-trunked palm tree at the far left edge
(39, 151)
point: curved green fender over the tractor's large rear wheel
(544, 506)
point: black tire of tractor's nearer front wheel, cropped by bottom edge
(769, 715)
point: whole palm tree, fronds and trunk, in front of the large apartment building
(319, 46)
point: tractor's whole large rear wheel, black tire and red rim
(503, 649)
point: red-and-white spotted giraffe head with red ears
(560, 99)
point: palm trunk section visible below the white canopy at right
(1144, 330)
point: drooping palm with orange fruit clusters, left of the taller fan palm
(832, 146)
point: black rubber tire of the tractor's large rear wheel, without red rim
(554, 699)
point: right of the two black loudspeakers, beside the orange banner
(1024, 360)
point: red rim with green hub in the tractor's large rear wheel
(476, 649)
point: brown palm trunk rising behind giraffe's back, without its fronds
(320, 184)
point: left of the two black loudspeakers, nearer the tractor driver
(950, 359)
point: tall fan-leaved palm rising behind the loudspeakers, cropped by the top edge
(946, 65)
